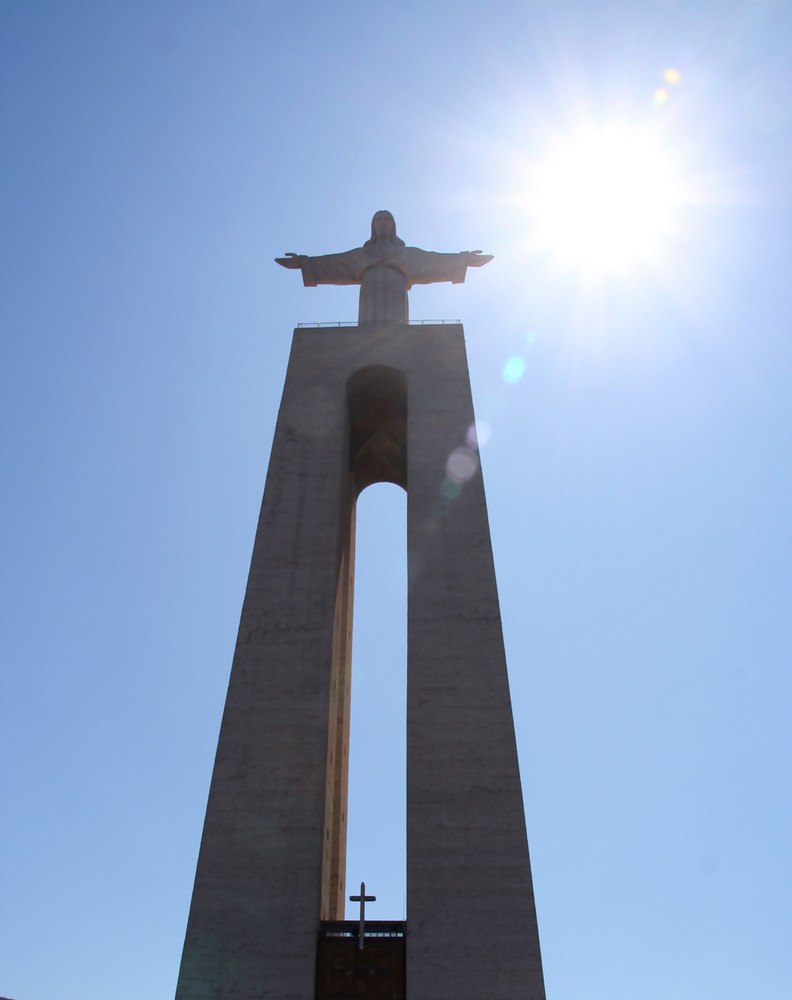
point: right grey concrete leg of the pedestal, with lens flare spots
(471, 919)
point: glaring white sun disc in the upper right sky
(605, 199)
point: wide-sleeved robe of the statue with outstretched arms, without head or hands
(385, 273)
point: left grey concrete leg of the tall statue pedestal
(255, 909)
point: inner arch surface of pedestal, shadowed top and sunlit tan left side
(377, 453)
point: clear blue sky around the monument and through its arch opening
(155, 158)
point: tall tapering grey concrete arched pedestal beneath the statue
(378, 402)
